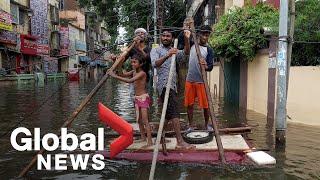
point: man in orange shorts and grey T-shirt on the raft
(194, 87)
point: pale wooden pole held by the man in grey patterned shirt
(163, 115)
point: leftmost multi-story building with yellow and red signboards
(17, 46)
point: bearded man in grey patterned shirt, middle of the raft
(161, 60)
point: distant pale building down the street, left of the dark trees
(76, 21)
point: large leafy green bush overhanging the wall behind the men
(237, 34)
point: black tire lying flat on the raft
(197, 137)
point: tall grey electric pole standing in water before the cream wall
(282, 59)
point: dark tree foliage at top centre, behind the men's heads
(132, 14)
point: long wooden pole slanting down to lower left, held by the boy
(73, 116)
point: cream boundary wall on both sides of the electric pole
(303, 95)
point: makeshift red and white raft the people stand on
(235, 148)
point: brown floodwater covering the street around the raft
(49, 106)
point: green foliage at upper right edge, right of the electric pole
(307, 28)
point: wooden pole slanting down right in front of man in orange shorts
(213, 118)
